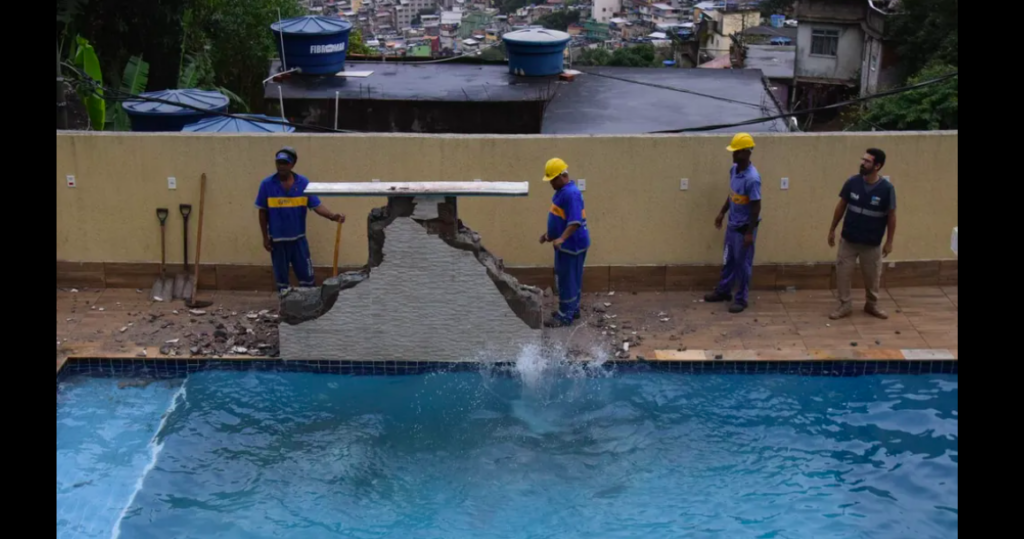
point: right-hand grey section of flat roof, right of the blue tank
(594, 105)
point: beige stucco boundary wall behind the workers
(637, 214)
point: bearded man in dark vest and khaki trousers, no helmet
(869, 202)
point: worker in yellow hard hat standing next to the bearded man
(744, 208)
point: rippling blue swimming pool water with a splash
(272, 455)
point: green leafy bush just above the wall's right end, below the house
(929, 109)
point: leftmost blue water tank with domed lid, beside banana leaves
(153, 116)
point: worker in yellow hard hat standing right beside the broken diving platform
(569, 234)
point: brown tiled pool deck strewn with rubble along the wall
(779, 327)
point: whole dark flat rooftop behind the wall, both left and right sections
(591, 105)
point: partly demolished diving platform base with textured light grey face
(431, 293)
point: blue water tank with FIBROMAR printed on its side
(316, 45)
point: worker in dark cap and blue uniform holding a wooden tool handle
(283, 208)
